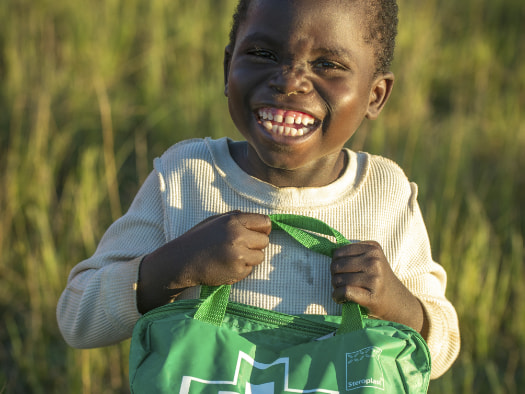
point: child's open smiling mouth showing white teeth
(286, 123)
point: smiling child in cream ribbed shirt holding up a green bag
(300, 77)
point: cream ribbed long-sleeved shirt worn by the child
(195, 179)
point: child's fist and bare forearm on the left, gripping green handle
(222, 249)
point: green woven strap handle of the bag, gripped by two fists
(310, 233)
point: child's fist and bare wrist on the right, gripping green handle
(362, 274)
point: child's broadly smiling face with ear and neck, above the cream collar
(300, 81)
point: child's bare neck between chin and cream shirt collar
(322, 173)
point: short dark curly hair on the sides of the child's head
(381, 16)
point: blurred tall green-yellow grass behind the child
(91, 92)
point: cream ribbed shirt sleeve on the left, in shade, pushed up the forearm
(98, 305)
